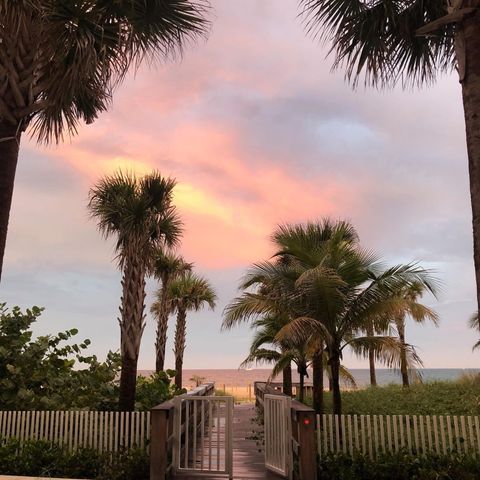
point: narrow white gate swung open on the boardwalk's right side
(278, 435)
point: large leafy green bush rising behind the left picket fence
(43, 374)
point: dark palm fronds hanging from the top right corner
(379, 40)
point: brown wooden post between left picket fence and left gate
(159, 443)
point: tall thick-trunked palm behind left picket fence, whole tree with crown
(139, 214)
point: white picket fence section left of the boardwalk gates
(103, 431)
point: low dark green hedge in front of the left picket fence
(44, 459)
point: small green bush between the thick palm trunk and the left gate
(155, 389)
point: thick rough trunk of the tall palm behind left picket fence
(132, 325)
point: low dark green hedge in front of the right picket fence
(399, 466)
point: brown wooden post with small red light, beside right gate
(306, 441)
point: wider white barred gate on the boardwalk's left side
(203, 435)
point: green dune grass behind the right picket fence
(460, 397)
